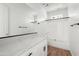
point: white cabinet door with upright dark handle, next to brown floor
(40, 49)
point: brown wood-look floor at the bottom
(53, 51)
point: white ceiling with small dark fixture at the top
(50, 7)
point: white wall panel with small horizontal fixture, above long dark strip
(19, 18)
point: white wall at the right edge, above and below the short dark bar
(74, 31)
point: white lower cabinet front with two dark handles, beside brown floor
(40, 49)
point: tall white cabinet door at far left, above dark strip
(3, 20)
